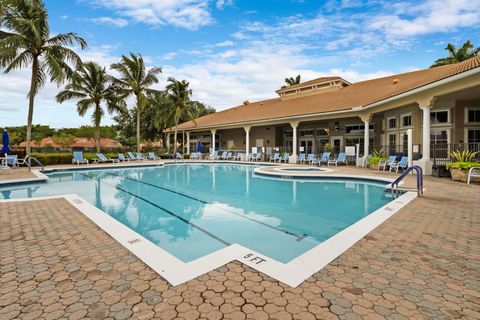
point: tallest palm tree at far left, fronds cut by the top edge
(27, 41)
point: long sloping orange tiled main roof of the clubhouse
(357, 94)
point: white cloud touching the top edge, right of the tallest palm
(188, 14)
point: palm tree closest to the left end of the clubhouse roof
(182, 107)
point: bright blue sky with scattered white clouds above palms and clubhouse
(236, 50)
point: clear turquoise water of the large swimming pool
(191, 210)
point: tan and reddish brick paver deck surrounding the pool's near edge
(423, 263)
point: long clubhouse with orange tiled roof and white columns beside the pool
(441, 105)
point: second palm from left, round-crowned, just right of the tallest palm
(92, 85)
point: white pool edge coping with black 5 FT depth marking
(177, 272)
